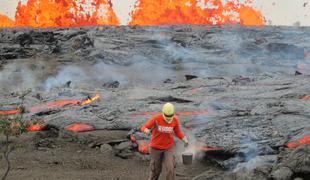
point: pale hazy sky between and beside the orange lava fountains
(276, 12)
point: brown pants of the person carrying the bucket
(158, 159)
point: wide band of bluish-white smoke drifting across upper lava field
(226, 53)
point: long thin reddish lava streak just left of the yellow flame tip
(52, 104)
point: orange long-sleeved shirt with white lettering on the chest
(163, 133)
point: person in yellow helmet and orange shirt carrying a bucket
(164, 126)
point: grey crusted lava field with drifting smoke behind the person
(249, 80)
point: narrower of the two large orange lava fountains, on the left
(55, 13)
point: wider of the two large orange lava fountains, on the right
(150, 12)
